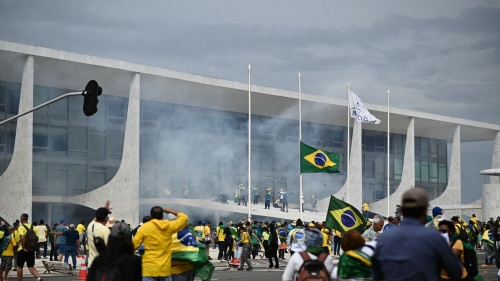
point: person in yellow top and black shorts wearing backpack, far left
(27, 246)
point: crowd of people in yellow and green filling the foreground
(383, 251)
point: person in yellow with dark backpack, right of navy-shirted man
(461, 250)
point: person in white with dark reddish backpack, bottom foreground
(311, 264)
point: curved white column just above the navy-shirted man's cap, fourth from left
(408, 179)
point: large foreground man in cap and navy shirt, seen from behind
(414, 242)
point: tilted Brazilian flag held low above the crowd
(342, 216)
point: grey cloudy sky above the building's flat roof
(441, 57)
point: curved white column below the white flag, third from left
(354, 195)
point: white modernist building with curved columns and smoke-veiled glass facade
(167, 136)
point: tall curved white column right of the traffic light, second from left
(123, 189)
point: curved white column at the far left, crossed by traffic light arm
(16, 183)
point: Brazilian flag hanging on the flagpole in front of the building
(313, 160)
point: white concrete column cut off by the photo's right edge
(491, 191)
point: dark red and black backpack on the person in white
(313, 269)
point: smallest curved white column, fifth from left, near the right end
(453, 192)
